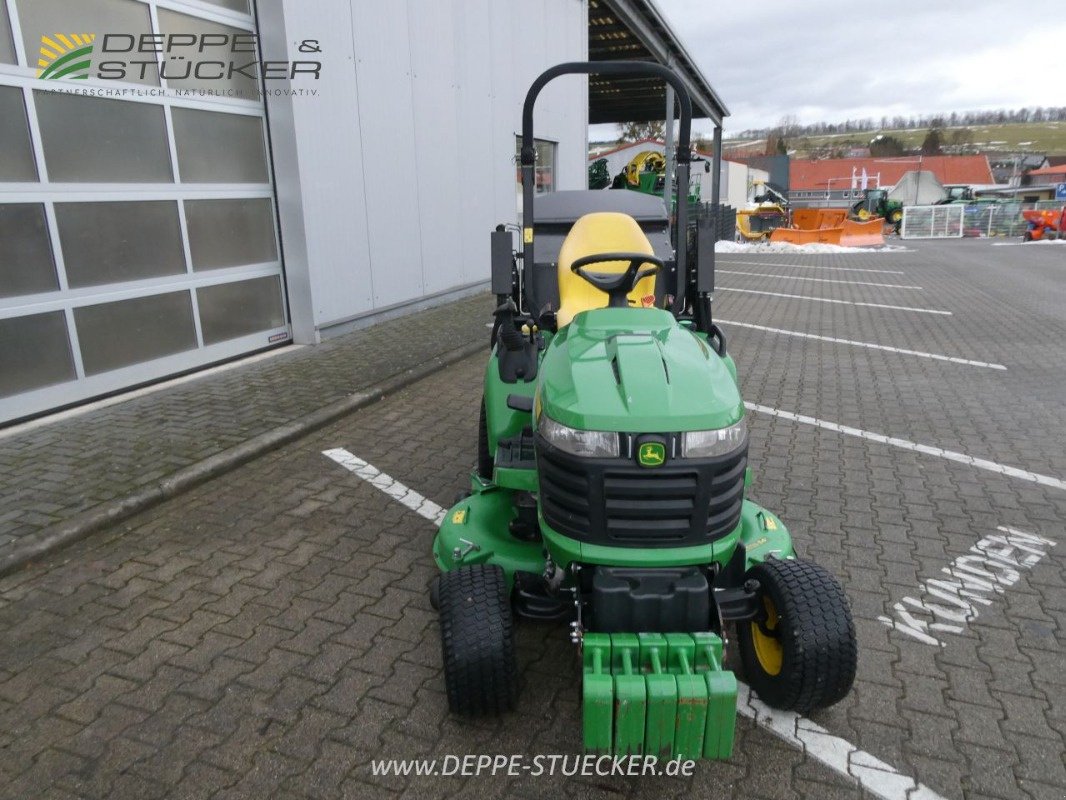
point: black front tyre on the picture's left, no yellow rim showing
(477, 639)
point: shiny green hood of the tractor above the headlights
(636, 371)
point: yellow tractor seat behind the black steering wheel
(603, 232)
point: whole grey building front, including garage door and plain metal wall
(161, 211)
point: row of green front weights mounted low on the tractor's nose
(664, 695)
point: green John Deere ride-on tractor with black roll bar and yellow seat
(611, 482)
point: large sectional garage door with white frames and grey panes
(138, 234)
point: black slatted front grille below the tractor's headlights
(615, 502)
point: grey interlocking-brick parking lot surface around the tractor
(269, 634)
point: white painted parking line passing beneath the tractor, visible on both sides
(841, 756)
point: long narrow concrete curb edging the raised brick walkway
(37, 546)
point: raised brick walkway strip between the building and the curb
(49, 475)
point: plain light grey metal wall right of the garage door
(392, 177)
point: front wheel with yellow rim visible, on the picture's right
(801, 653)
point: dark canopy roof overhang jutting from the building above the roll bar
(636, 30)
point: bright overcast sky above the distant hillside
(833, 60)
